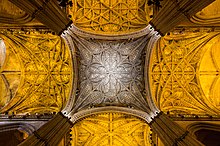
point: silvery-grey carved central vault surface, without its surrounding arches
(111, 72)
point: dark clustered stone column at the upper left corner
(47, 12)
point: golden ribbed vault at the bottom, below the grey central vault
(110, 129)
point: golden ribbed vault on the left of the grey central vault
(37, 72)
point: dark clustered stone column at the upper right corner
(175, 11)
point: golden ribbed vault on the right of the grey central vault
(185, 73)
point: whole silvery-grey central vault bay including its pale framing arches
(110, 70)
